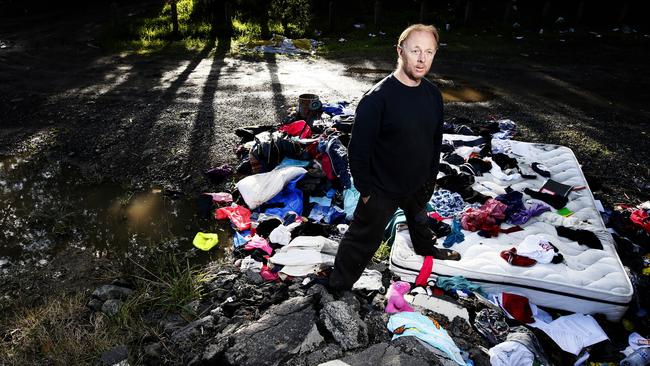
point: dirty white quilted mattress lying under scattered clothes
(589, 281)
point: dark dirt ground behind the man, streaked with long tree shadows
(162, 119)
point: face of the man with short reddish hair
(416, 53)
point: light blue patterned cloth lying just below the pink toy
(420, 326)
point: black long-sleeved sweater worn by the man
(396, 138)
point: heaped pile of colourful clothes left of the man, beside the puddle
(297, 198)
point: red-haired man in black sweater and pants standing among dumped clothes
(394, 154)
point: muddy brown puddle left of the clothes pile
(46, 207)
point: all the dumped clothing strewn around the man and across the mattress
(293, 204)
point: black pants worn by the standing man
(366, 232)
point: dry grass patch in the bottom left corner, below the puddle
(64, 331)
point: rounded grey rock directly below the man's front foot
(344, 324)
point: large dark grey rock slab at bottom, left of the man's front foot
(270, 340)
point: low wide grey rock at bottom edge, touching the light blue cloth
(402, 351)
